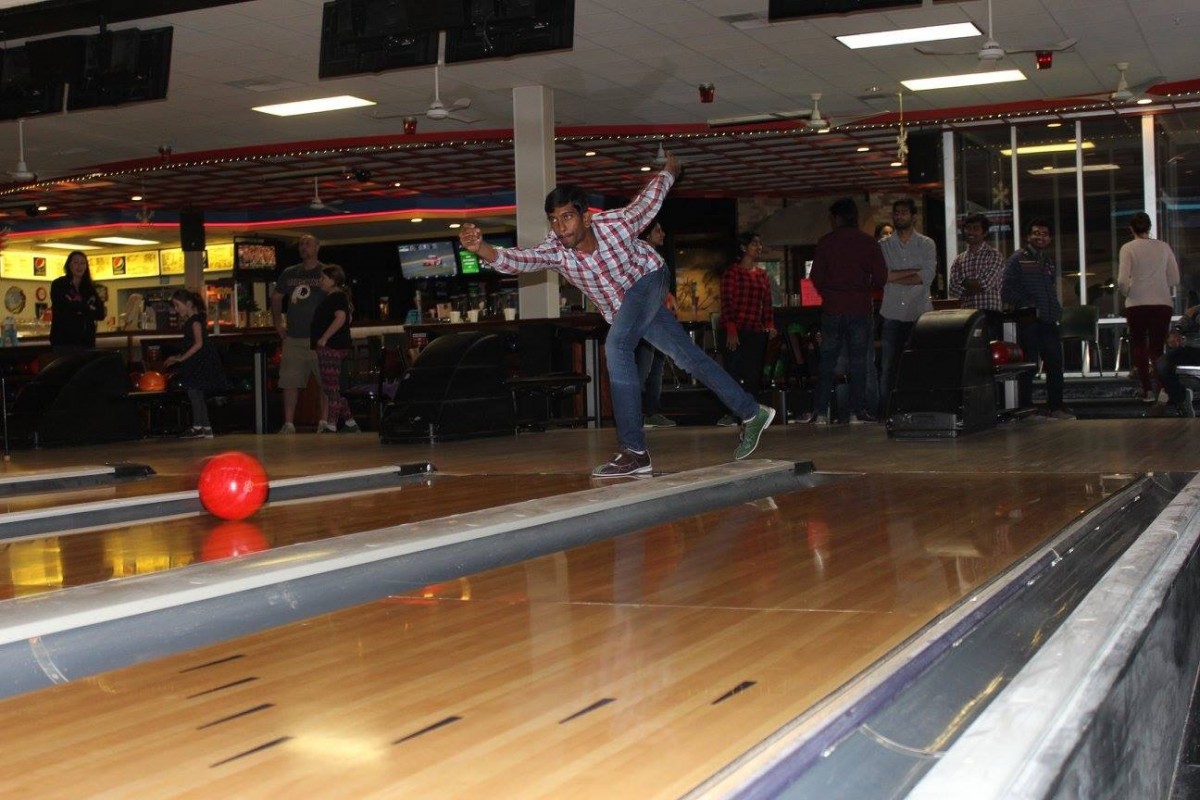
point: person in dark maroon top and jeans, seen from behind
(847, 268)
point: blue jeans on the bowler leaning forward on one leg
(643, 316)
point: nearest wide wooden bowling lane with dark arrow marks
(631, 667)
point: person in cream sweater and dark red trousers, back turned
(1148, 275)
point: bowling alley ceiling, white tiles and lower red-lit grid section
(627, 87)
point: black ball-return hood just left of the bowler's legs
(457, 389)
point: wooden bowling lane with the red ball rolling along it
(47, 563)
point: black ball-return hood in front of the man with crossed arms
(945, 380)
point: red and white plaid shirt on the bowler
(620, 261)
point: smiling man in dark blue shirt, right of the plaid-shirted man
(1031, 281)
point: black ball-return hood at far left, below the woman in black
(76, 400)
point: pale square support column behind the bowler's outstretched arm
(533, 128)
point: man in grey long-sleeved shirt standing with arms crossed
(913, 262)
